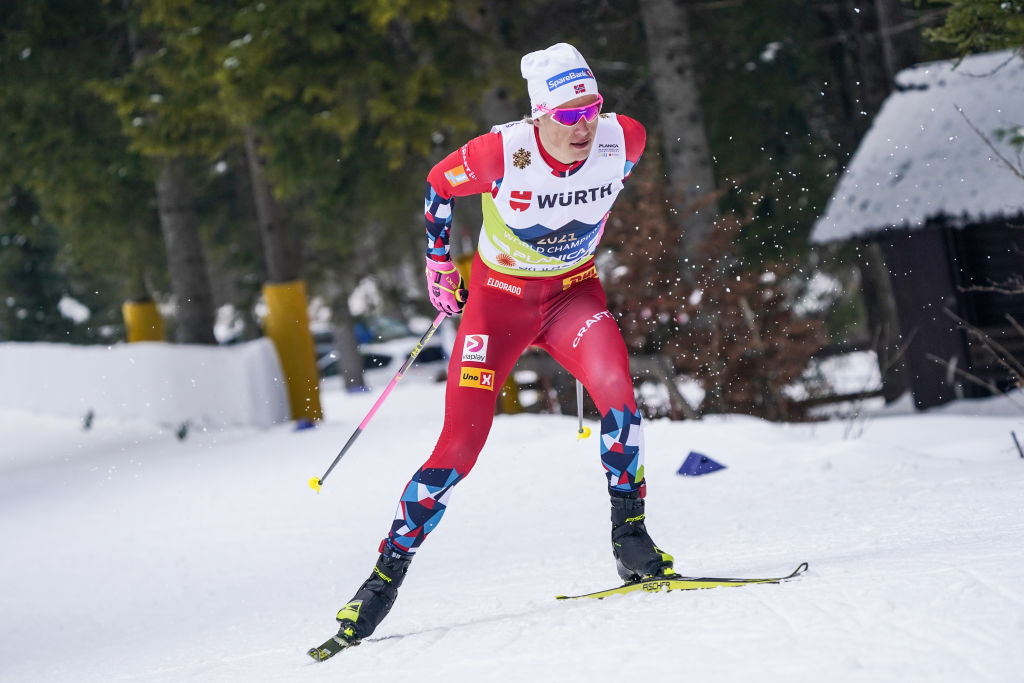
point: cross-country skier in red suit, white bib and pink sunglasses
(547, 185)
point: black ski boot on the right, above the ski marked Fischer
(636, 556)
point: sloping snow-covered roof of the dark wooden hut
(921, 159)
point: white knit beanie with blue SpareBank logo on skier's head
(556, 76)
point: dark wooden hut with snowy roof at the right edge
(935, 193)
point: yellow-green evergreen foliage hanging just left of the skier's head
(338, 108)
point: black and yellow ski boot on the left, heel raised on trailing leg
(368, 608)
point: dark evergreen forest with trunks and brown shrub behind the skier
(190, 152)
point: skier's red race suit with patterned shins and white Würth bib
(534, 283)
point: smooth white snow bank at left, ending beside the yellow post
(162, 383)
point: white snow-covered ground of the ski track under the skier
(130, 556)
